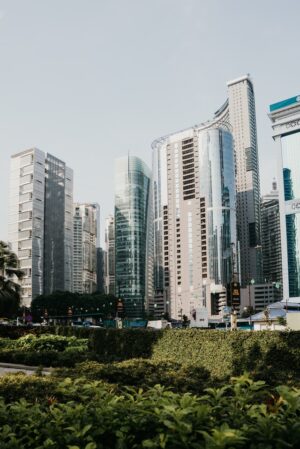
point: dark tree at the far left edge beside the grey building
(10, 290)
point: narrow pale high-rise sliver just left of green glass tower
(109, 264)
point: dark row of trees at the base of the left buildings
(58, 303)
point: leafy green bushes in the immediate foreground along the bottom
(243, 414)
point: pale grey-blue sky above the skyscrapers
(91, 80)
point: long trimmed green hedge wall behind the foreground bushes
(273, 356)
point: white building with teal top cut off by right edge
(285, 118)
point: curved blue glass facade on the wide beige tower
(217, 189)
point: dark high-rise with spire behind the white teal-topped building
(270, 237)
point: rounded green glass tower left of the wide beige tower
(133, 235)
